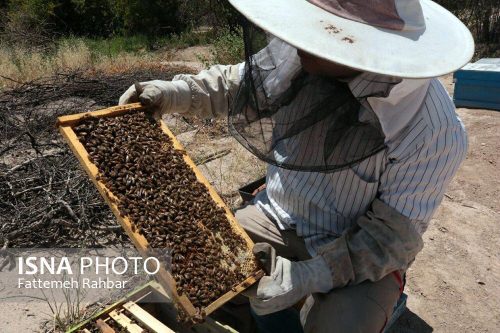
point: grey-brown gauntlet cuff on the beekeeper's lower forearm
(383, 241)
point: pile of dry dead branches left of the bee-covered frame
(47, 199)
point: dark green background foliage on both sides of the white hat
(156, 23)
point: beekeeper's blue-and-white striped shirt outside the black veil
(425, 143)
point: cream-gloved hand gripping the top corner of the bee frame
(162, 96)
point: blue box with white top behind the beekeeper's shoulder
(477, 85)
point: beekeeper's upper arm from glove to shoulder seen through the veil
(209, 93)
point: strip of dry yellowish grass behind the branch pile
(20, 62)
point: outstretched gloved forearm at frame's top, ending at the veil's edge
(206, 94)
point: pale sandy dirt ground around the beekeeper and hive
(454, 284)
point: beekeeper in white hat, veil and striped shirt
(340, 99)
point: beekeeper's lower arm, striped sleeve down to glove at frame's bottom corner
(386, 238)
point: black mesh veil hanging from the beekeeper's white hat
(295, 120)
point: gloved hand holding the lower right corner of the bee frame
(289, 282)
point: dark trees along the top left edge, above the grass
(108, 17)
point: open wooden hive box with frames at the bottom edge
(146, 309)
